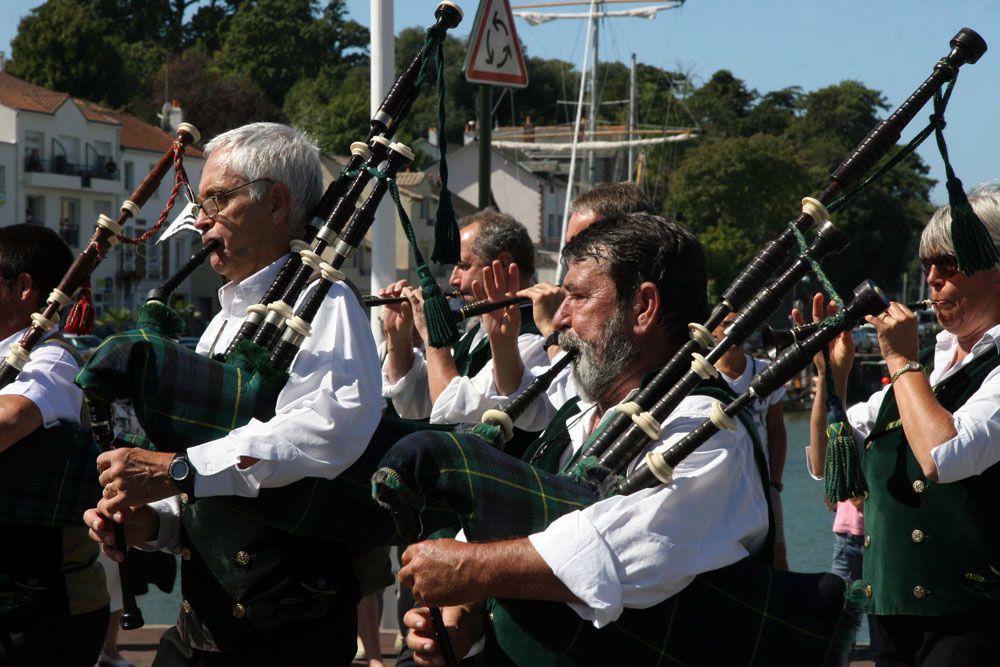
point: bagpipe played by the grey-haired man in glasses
(182, 399)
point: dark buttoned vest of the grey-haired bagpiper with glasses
(245, 582)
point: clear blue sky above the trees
(889, 45)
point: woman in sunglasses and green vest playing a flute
(930, 442)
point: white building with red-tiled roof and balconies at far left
(64, 161)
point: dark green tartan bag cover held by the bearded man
(779, 617)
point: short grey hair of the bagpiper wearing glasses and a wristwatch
(278, 153)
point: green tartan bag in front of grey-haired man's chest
(180, 398)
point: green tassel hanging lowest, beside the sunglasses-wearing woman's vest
(842, 472)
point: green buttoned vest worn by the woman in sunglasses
(931, 549)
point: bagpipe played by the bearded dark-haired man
(772, 617)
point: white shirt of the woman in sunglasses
(976, 446)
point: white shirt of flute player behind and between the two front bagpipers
(463, 399)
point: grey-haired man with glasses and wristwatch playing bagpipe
(253, 594)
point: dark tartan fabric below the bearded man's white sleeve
(743, 614)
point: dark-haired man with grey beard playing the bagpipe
(633, 284)
